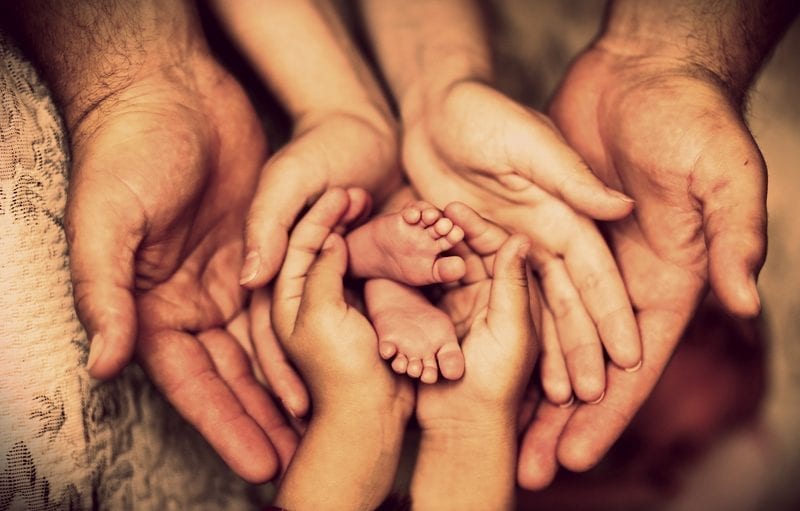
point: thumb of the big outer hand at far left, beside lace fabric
(102, 243)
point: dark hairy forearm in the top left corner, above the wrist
(90, 49)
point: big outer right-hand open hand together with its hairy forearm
(655, 106)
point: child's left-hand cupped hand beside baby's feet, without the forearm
(331, 343)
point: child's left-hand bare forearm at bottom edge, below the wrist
(347, 460)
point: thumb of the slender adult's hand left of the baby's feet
(284, 189)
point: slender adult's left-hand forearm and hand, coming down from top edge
(343, 135)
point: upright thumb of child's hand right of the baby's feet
(509, 298)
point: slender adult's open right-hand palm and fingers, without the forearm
(474, 145)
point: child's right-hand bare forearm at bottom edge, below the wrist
(469, 468)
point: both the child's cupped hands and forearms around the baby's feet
(349, 453)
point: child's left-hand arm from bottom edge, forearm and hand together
(351, 448)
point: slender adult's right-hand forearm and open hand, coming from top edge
(463, 140)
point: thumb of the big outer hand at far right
(734, 214)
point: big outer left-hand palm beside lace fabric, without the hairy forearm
(163, 173)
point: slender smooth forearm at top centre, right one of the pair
(425, 46)
